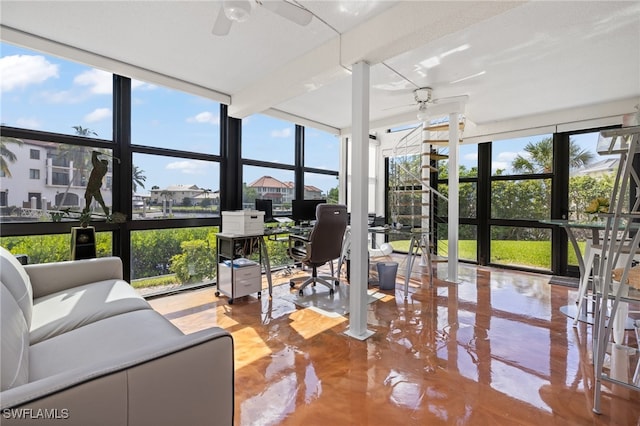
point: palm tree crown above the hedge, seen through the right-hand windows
(540, 158)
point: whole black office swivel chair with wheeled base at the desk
(323, 244)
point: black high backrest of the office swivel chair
(327, 233)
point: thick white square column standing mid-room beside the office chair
(359, 202)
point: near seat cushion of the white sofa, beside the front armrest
(99, 342)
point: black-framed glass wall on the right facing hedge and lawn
(506, 190)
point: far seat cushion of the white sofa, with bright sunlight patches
(66, 310)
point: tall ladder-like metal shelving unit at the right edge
(614, 360)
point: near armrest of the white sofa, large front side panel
(186, 380)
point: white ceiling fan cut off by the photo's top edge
(240, 10)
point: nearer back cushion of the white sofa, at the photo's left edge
(14, 336)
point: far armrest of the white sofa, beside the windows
(47, 278)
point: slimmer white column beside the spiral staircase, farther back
(454, 195)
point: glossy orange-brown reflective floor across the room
(493, 349)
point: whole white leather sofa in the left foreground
(81, 347)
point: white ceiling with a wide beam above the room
(519, 59)
